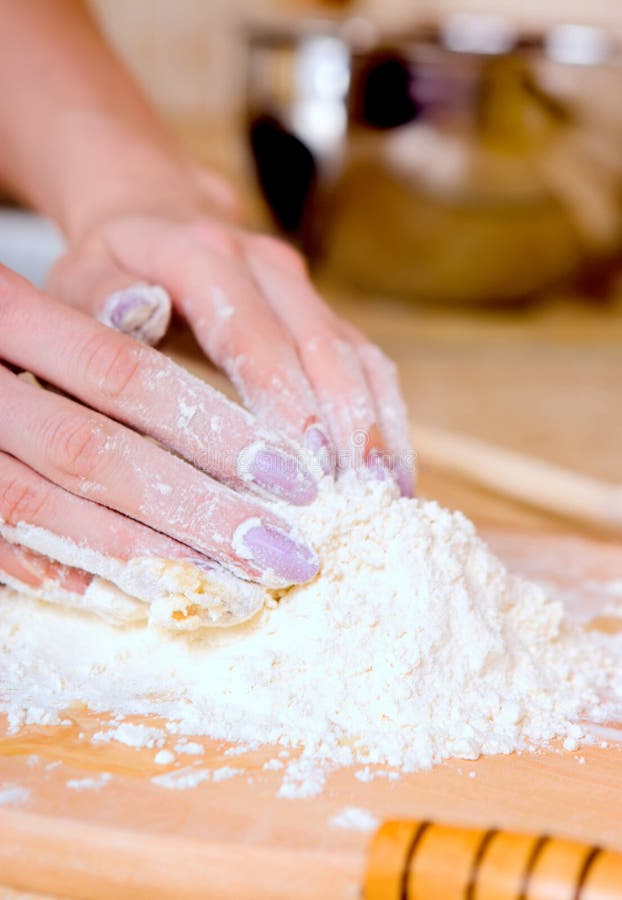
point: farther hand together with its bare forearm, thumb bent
(136, 209)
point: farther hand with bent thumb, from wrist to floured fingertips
(256, 314)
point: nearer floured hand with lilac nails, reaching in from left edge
(86, 470)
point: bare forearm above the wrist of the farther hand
(77, 138)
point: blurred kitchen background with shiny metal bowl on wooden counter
(453, 169)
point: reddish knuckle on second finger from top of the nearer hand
(74, 445)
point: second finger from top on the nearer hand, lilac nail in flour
(92, 457)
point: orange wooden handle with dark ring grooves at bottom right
(428, 861)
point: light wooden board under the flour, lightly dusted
(235, 839)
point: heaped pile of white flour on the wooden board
(413, 645)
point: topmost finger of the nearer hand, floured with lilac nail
(141, 388)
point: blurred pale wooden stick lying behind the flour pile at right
(524, 478)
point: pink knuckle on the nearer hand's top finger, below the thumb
(111, 363)
